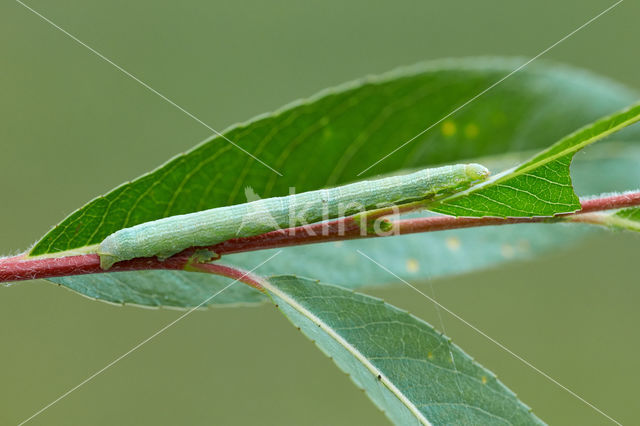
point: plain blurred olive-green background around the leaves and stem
(73, 126)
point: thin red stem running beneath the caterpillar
(20, 268)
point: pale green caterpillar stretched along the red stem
(168, 236)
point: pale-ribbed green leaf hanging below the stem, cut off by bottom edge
(412, 372)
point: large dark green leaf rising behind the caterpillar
(350, 127)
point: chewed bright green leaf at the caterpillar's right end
(541, 186)
